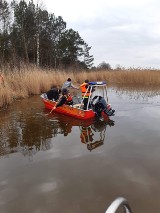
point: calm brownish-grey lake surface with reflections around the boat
(54, 163)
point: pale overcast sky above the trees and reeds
(121, 32)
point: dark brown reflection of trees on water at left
(25, 134)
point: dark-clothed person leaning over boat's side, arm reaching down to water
(66, 98)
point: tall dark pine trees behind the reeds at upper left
(31, 34)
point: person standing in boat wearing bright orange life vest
(86, 93)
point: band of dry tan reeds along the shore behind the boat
(31, 80)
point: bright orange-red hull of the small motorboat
(70, 110)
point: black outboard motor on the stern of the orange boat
(100, 105)
